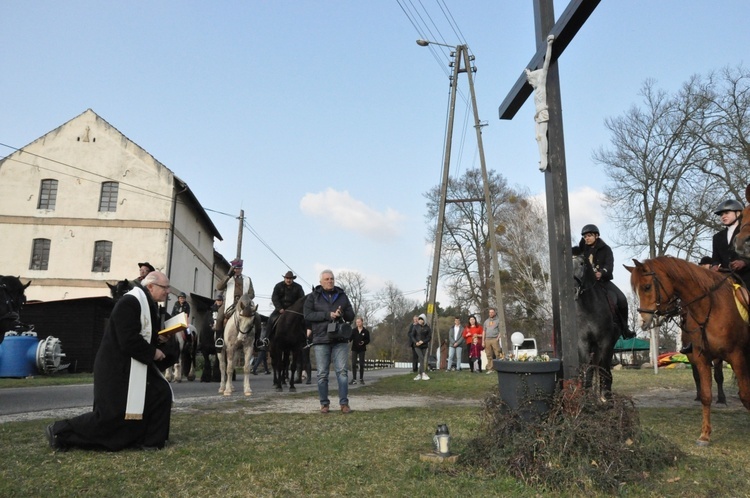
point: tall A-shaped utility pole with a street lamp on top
(462, 64)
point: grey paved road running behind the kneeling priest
(32, 403)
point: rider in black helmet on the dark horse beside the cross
(602, 261)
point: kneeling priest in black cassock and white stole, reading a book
(132, 400)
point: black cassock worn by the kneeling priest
(105, 427)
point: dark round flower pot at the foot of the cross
(527, 387)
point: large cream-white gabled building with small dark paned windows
(83, 205)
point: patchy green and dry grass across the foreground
(376, 453)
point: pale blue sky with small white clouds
(324, 120)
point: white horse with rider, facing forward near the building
(239, 332)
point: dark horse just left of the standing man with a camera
(287, 338)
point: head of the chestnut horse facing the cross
(655, 293)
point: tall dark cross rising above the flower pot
(556, 182)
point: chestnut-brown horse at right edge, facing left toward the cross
(707, 307)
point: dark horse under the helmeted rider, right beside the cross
(598, 329)
